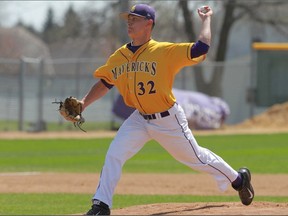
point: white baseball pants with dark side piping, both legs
(173, 134)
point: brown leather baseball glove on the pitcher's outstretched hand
(71, 110)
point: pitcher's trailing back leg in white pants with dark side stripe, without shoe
(175, 136)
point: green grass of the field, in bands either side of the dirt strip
(261, 153)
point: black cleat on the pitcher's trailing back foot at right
(246, 191)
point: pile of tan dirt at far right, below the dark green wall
(274, 117)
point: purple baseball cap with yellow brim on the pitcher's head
(141, 10)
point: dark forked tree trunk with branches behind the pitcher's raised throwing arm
(234, 10)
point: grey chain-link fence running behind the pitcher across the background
(29, 86)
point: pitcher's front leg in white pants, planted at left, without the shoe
(130, 138)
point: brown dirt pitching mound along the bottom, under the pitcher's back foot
(219, 208)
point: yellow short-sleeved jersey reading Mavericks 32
(145, 78)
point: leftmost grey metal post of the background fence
(21, 94)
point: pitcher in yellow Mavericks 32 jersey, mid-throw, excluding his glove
(143, 71)
